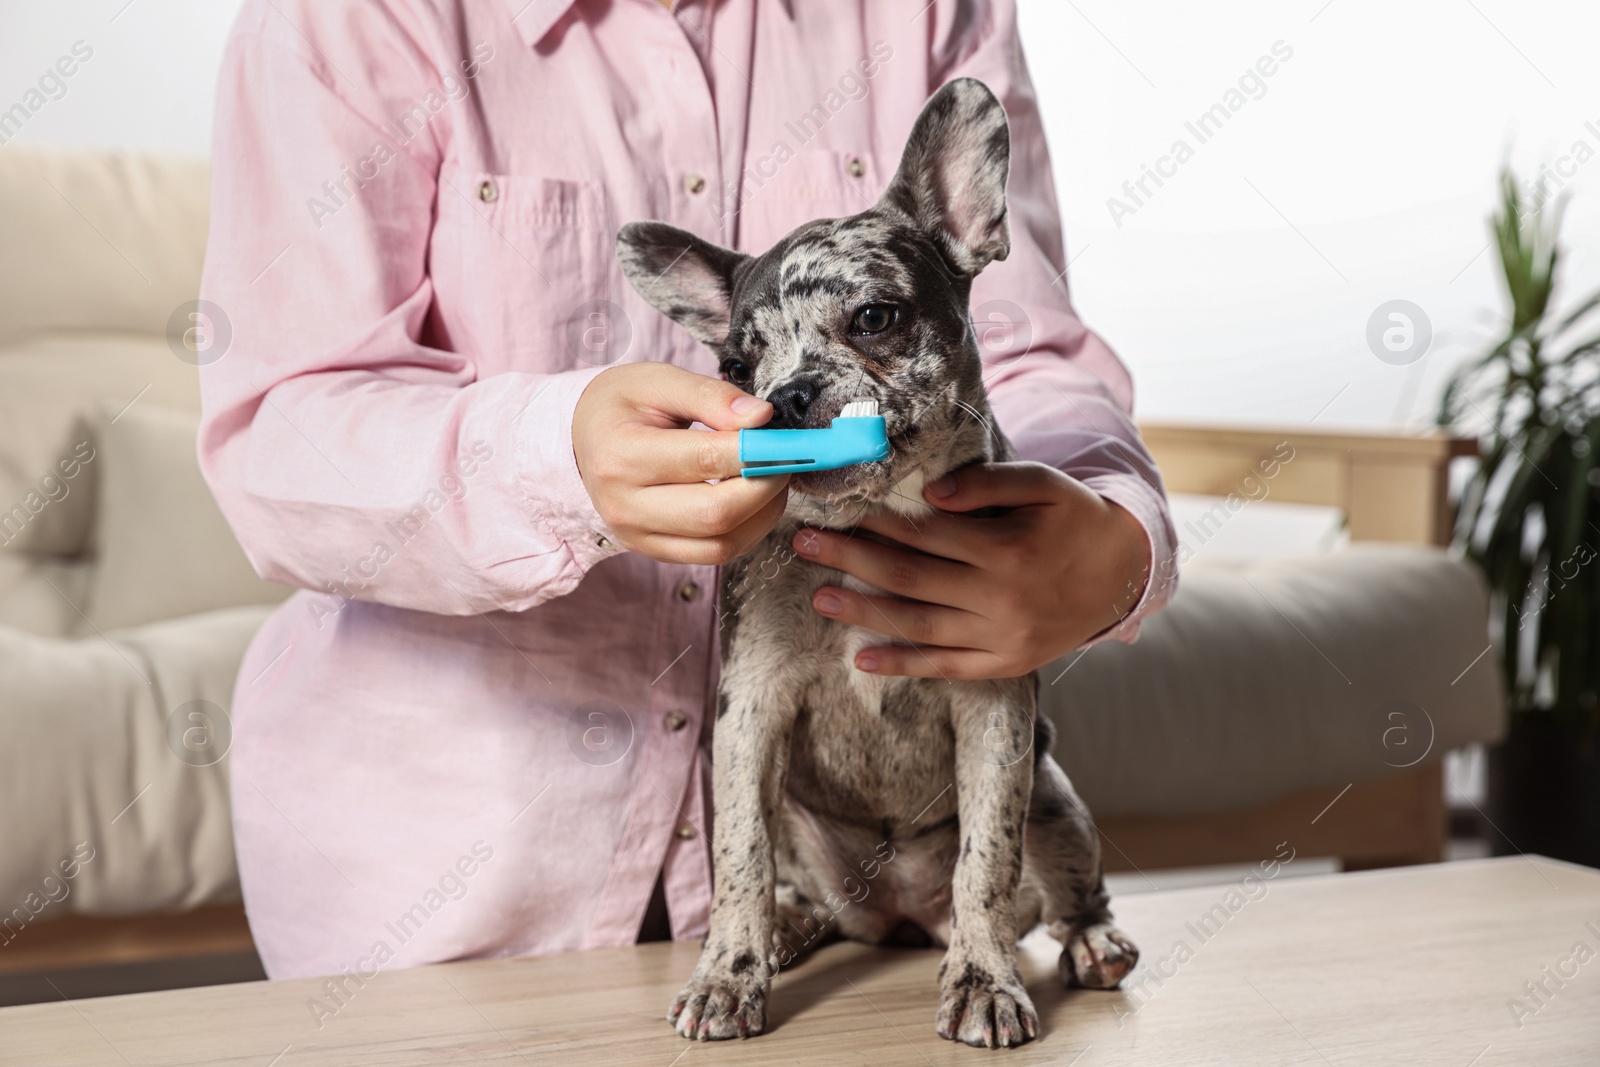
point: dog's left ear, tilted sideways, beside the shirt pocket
(684, 278)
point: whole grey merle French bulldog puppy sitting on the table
(884, 810)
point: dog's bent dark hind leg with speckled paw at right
(1063, 863)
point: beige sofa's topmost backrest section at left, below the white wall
(98, 241)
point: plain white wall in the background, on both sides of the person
(1241, 290)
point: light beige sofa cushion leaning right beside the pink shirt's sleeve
(164, 548)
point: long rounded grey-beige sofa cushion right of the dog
(1262, 681)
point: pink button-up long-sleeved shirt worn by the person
(481, 729)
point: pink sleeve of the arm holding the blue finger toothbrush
(348, 455)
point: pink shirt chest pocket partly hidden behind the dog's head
(783, 191)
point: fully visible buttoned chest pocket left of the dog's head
(526, 273)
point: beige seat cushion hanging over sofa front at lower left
(118, 781)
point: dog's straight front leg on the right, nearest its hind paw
(982, 997)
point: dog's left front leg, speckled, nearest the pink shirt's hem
(727, 996)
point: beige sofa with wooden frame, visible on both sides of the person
(1257, 700)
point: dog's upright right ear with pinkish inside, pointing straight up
(953, 175)
